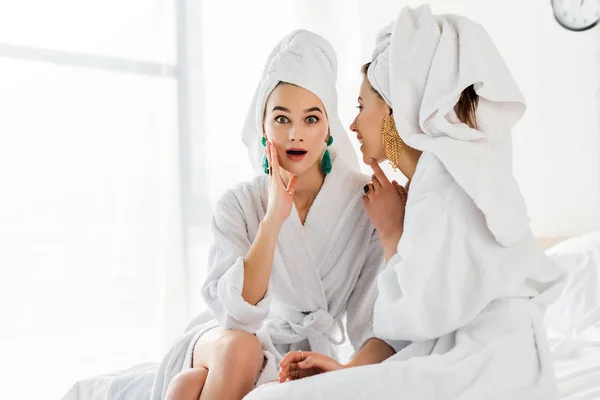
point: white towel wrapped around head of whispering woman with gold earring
(421, 65)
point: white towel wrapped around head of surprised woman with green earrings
(305, 59)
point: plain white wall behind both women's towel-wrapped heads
(557, 143)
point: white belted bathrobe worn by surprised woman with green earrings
(322, 271)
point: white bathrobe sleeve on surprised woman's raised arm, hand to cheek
(222, 290)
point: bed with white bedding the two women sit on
(573, 328)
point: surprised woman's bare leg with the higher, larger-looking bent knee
(233, 360)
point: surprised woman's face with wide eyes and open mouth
(295, 121)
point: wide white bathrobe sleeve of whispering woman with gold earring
(448, 268)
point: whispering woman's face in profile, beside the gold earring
(368, 123)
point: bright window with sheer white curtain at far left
(89, 188)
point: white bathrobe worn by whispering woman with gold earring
(464, 312)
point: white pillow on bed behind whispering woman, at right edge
(576, 313)
